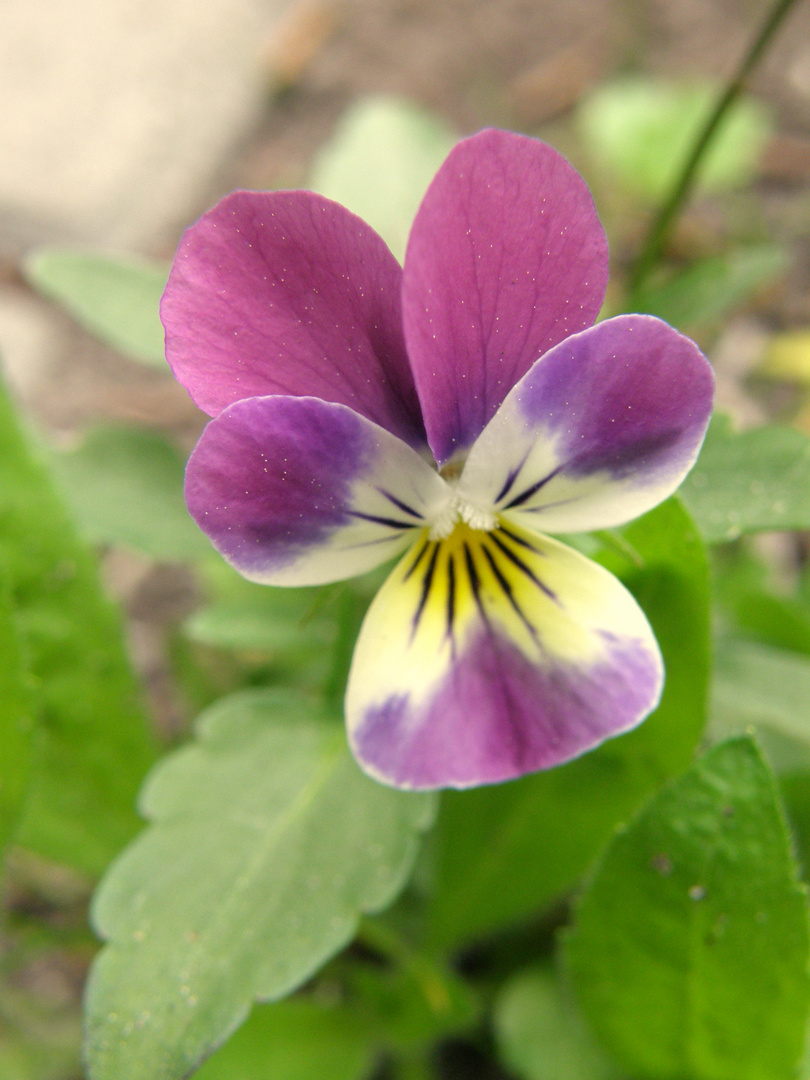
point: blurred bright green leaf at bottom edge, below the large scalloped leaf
(300, 1039)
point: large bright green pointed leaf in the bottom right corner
(690, 951)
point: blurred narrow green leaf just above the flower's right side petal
(710, 288)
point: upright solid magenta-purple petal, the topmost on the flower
(507, 259)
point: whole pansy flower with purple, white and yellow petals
(453, 413)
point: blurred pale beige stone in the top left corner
(116, 114)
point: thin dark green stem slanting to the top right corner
(664, 222)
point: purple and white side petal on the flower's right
(602, 429)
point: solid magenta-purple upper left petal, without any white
(289, 293)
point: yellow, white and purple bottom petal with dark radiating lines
(491, 655)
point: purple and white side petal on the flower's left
(296, 492)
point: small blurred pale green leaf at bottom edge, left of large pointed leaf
(541, 1034)
